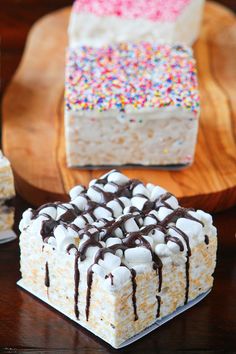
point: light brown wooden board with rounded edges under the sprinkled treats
(33, 132)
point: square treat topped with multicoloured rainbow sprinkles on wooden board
(131, 104)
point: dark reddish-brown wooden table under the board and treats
(27, 325)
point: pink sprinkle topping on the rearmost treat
(153, 10)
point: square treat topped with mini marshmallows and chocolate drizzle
(119, 256)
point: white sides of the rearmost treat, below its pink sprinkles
(89, 29)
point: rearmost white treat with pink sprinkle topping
(97, 23)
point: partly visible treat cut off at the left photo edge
(7, 193)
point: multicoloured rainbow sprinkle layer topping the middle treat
(131, 77)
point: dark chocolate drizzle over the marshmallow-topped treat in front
(108, 230)
